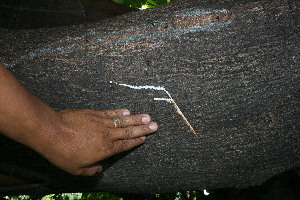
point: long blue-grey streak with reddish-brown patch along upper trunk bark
(171, 25)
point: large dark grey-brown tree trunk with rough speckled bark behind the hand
(232, 67)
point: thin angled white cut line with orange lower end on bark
(169, 100)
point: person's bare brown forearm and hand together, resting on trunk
(73, 140)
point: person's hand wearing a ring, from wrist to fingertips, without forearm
(85, 137)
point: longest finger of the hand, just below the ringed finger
(132, 132)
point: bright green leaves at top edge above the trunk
(142, 4)
